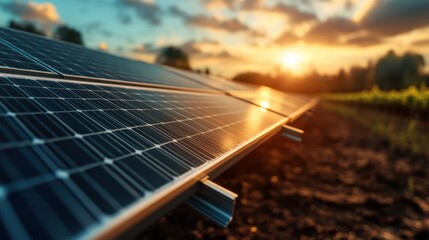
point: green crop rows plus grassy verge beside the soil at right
(399, 116)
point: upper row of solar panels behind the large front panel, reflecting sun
(34, 53)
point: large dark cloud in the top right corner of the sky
(394, 17)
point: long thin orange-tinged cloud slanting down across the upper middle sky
(202, 21)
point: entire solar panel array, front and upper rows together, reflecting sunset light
(76, 152)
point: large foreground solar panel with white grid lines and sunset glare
(74, 156)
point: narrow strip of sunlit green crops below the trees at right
(412, 99)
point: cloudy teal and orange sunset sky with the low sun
(242, 35)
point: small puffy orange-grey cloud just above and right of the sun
(330, 31)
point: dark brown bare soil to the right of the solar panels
(340, 183)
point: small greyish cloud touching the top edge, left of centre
(146, 10)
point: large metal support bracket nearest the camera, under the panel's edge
(214, 202)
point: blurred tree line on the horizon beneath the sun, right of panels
(390, 72)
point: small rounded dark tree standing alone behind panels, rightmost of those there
(174, 57)
